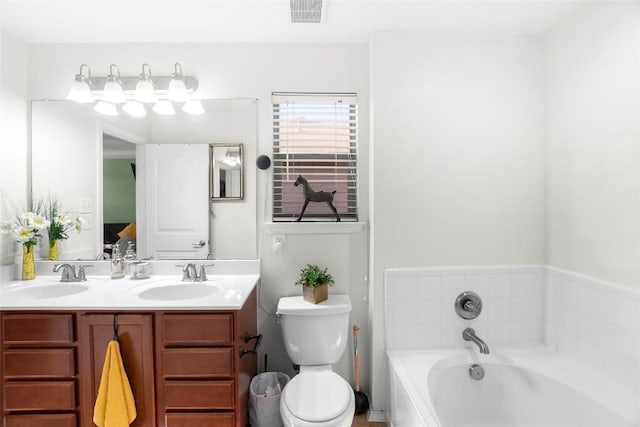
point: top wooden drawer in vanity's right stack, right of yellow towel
(197, 329)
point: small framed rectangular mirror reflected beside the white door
(226, 173)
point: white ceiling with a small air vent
(266, 21)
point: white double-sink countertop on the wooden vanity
(228, 286)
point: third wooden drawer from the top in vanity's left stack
(39, 396)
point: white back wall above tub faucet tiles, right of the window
(457, 131)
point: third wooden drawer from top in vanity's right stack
(198, 394)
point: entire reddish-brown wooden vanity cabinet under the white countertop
(184, 368)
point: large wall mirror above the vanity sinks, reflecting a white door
(70, 144)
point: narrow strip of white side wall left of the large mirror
(14, 134)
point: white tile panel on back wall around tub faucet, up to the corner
(419, 306)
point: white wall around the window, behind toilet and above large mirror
(252, 71)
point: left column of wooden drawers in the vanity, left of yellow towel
(39, 369)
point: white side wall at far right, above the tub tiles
(593, 142)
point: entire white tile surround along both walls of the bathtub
(595, 323)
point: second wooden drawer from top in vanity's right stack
(198, 362)
